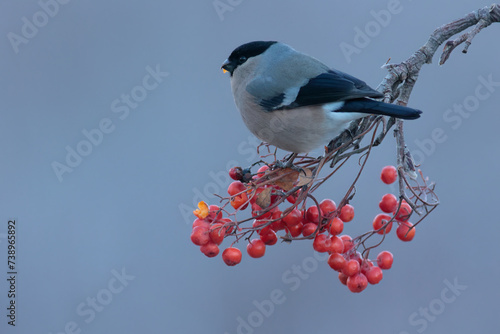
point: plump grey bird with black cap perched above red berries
(294, 101)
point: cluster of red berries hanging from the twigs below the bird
(322, 222)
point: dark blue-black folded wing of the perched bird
(332, 86)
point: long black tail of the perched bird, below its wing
(379, 108)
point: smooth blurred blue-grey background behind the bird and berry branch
(123, 207)
